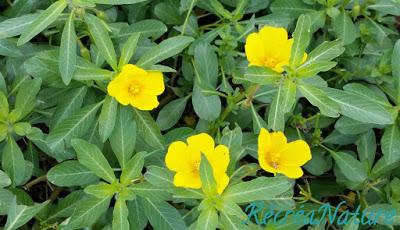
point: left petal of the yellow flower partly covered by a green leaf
(180, 158)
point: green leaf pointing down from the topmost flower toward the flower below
(283, 102)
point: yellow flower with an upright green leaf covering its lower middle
(185, 159)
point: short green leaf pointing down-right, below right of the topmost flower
(317, 97)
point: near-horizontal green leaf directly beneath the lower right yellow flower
(261, 188)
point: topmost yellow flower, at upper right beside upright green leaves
(269, 47)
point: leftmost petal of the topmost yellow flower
(254, 49)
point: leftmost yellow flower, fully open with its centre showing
(137, 87)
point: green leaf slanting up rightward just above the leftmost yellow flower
(164, 50)
